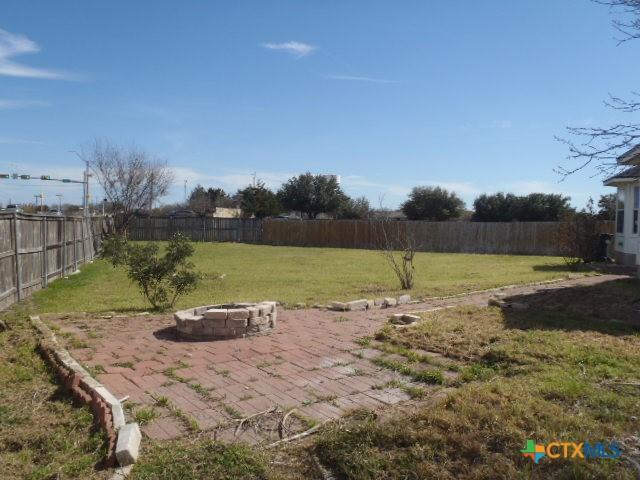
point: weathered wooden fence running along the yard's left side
(36, 249)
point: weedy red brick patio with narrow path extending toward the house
(310, 361)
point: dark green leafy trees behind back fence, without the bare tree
(312, 195)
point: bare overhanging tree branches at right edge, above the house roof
(601, 146)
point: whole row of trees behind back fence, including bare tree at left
(132, 179)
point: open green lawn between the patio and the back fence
(293, 274)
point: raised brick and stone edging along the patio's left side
(124, 438)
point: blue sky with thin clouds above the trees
(467, 95)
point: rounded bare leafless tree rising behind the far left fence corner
(131, 178)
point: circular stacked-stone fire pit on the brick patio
(225, 321)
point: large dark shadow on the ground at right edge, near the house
(610, 308)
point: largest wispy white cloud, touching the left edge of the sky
(13, 45)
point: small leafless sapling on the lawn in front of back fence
(398, 244)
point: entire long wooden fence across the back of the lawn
(525, 238)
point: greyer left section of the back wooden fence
(197, 229)
